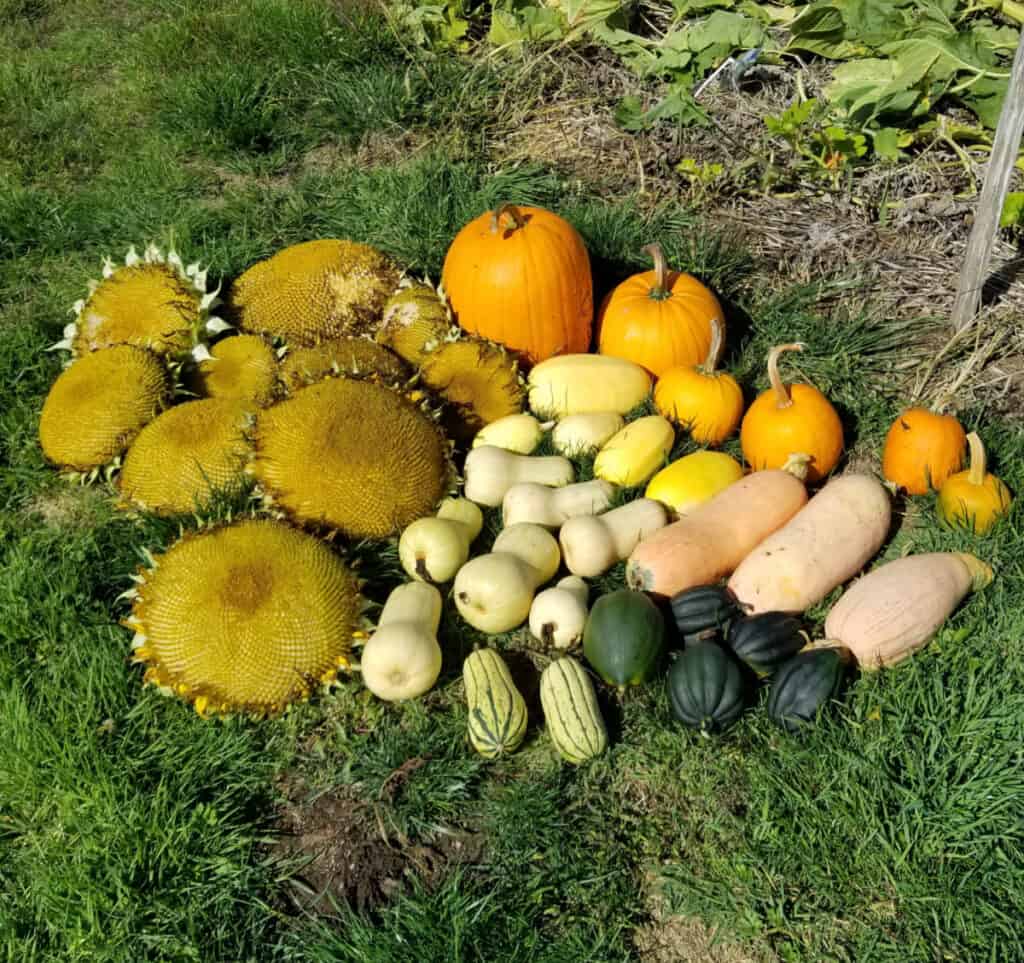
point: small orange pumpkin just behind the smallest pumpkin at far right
(923, 449)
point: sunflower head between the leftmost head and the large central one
(182, 457)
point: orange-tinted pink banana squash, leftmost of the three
(712, 541)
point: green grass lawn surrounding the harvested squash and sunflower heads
(133, 830)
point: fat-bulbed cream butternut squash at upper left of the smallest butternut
(494, 593)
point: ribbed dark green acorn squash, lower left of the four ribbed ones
(706, 688)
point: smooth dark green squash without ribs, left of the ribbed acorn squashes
(623, 638)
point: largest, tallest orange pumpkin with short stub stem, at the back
(521, 276)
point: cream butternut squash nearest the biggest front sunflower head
(402, 660)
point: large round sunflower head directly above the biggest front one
(352, 455)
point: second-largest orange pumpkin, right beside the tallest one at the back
(659, 319)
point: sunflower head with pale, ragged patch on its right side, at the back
(313, 291)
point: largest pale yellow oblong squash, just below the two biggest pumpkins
(579, 385)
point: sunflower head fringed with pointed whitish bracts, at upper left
(153, 302)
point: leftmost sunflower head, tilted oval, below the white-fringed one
(100, 404)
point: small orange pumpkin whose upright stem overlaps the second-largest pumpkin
(708, 403)
